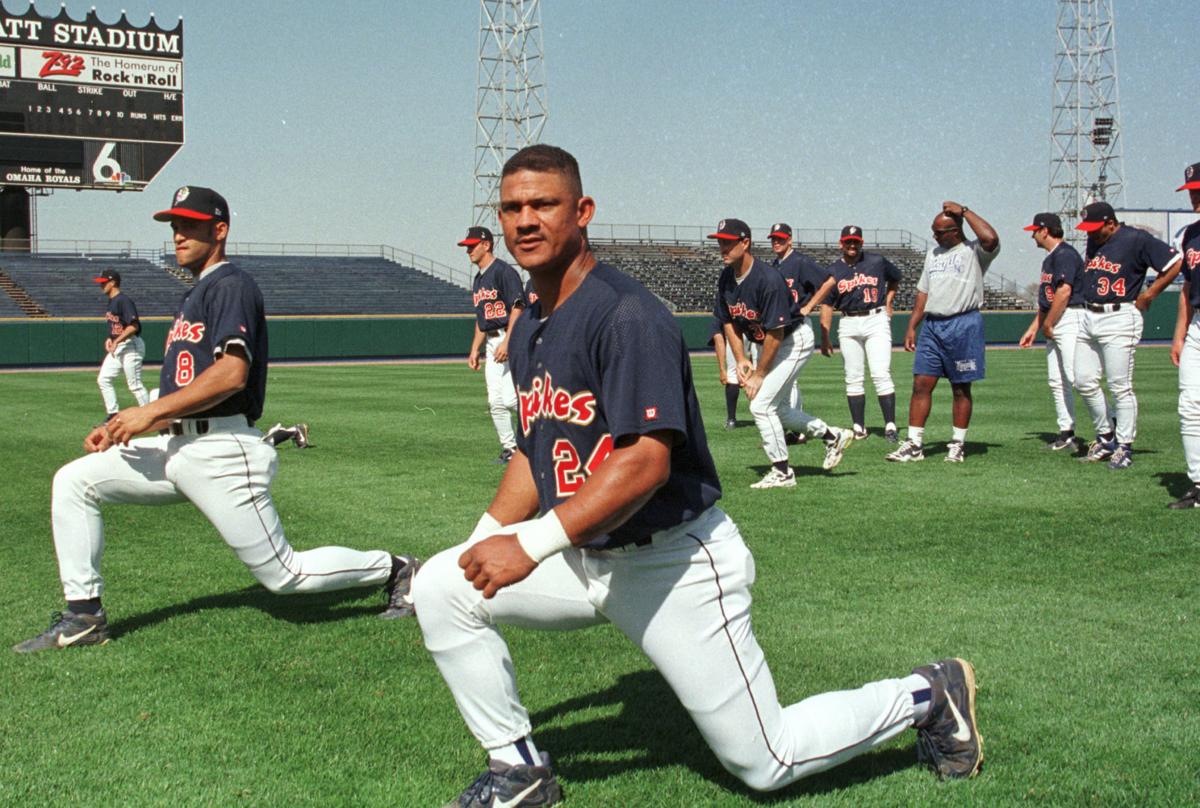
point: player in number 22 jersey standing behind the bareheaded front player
(499, 301)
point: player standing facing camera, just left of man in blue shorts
(865, 286)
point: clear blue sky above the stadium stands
(353, 123)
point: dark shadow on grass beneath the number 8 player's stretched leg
(320, 608)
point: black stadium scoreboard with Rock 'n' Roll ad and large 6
(88, 105)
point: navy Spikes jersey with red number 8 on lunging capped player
(224, 306)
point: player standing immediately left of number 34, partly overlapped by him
(1060, 308)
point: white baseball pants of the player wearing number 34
(1106, 345)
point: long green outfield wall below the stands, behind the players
(44, 343)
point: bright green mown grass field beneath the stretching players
(1073, 589)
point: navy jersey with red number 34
(1117, 270)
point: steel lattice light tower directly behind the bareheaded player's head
(511, 103)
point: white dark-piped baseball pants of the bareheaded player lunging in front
(685, 601)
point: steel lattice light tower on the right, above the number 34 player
(1085, 158)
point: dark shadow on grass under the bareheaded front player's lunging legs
(651, 731)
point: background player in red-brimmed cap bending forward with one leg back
(755, 304)
